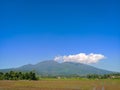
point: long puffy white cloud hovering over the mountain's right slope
(80, 58)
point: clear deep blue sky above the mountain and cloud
(36, 30)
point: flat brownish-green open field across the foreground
(60, 84)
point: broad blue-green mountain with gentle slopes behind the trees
(54, 68)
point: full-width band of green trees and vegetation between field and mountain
(12, 75)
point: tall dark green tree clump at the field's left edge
(12, 75)
